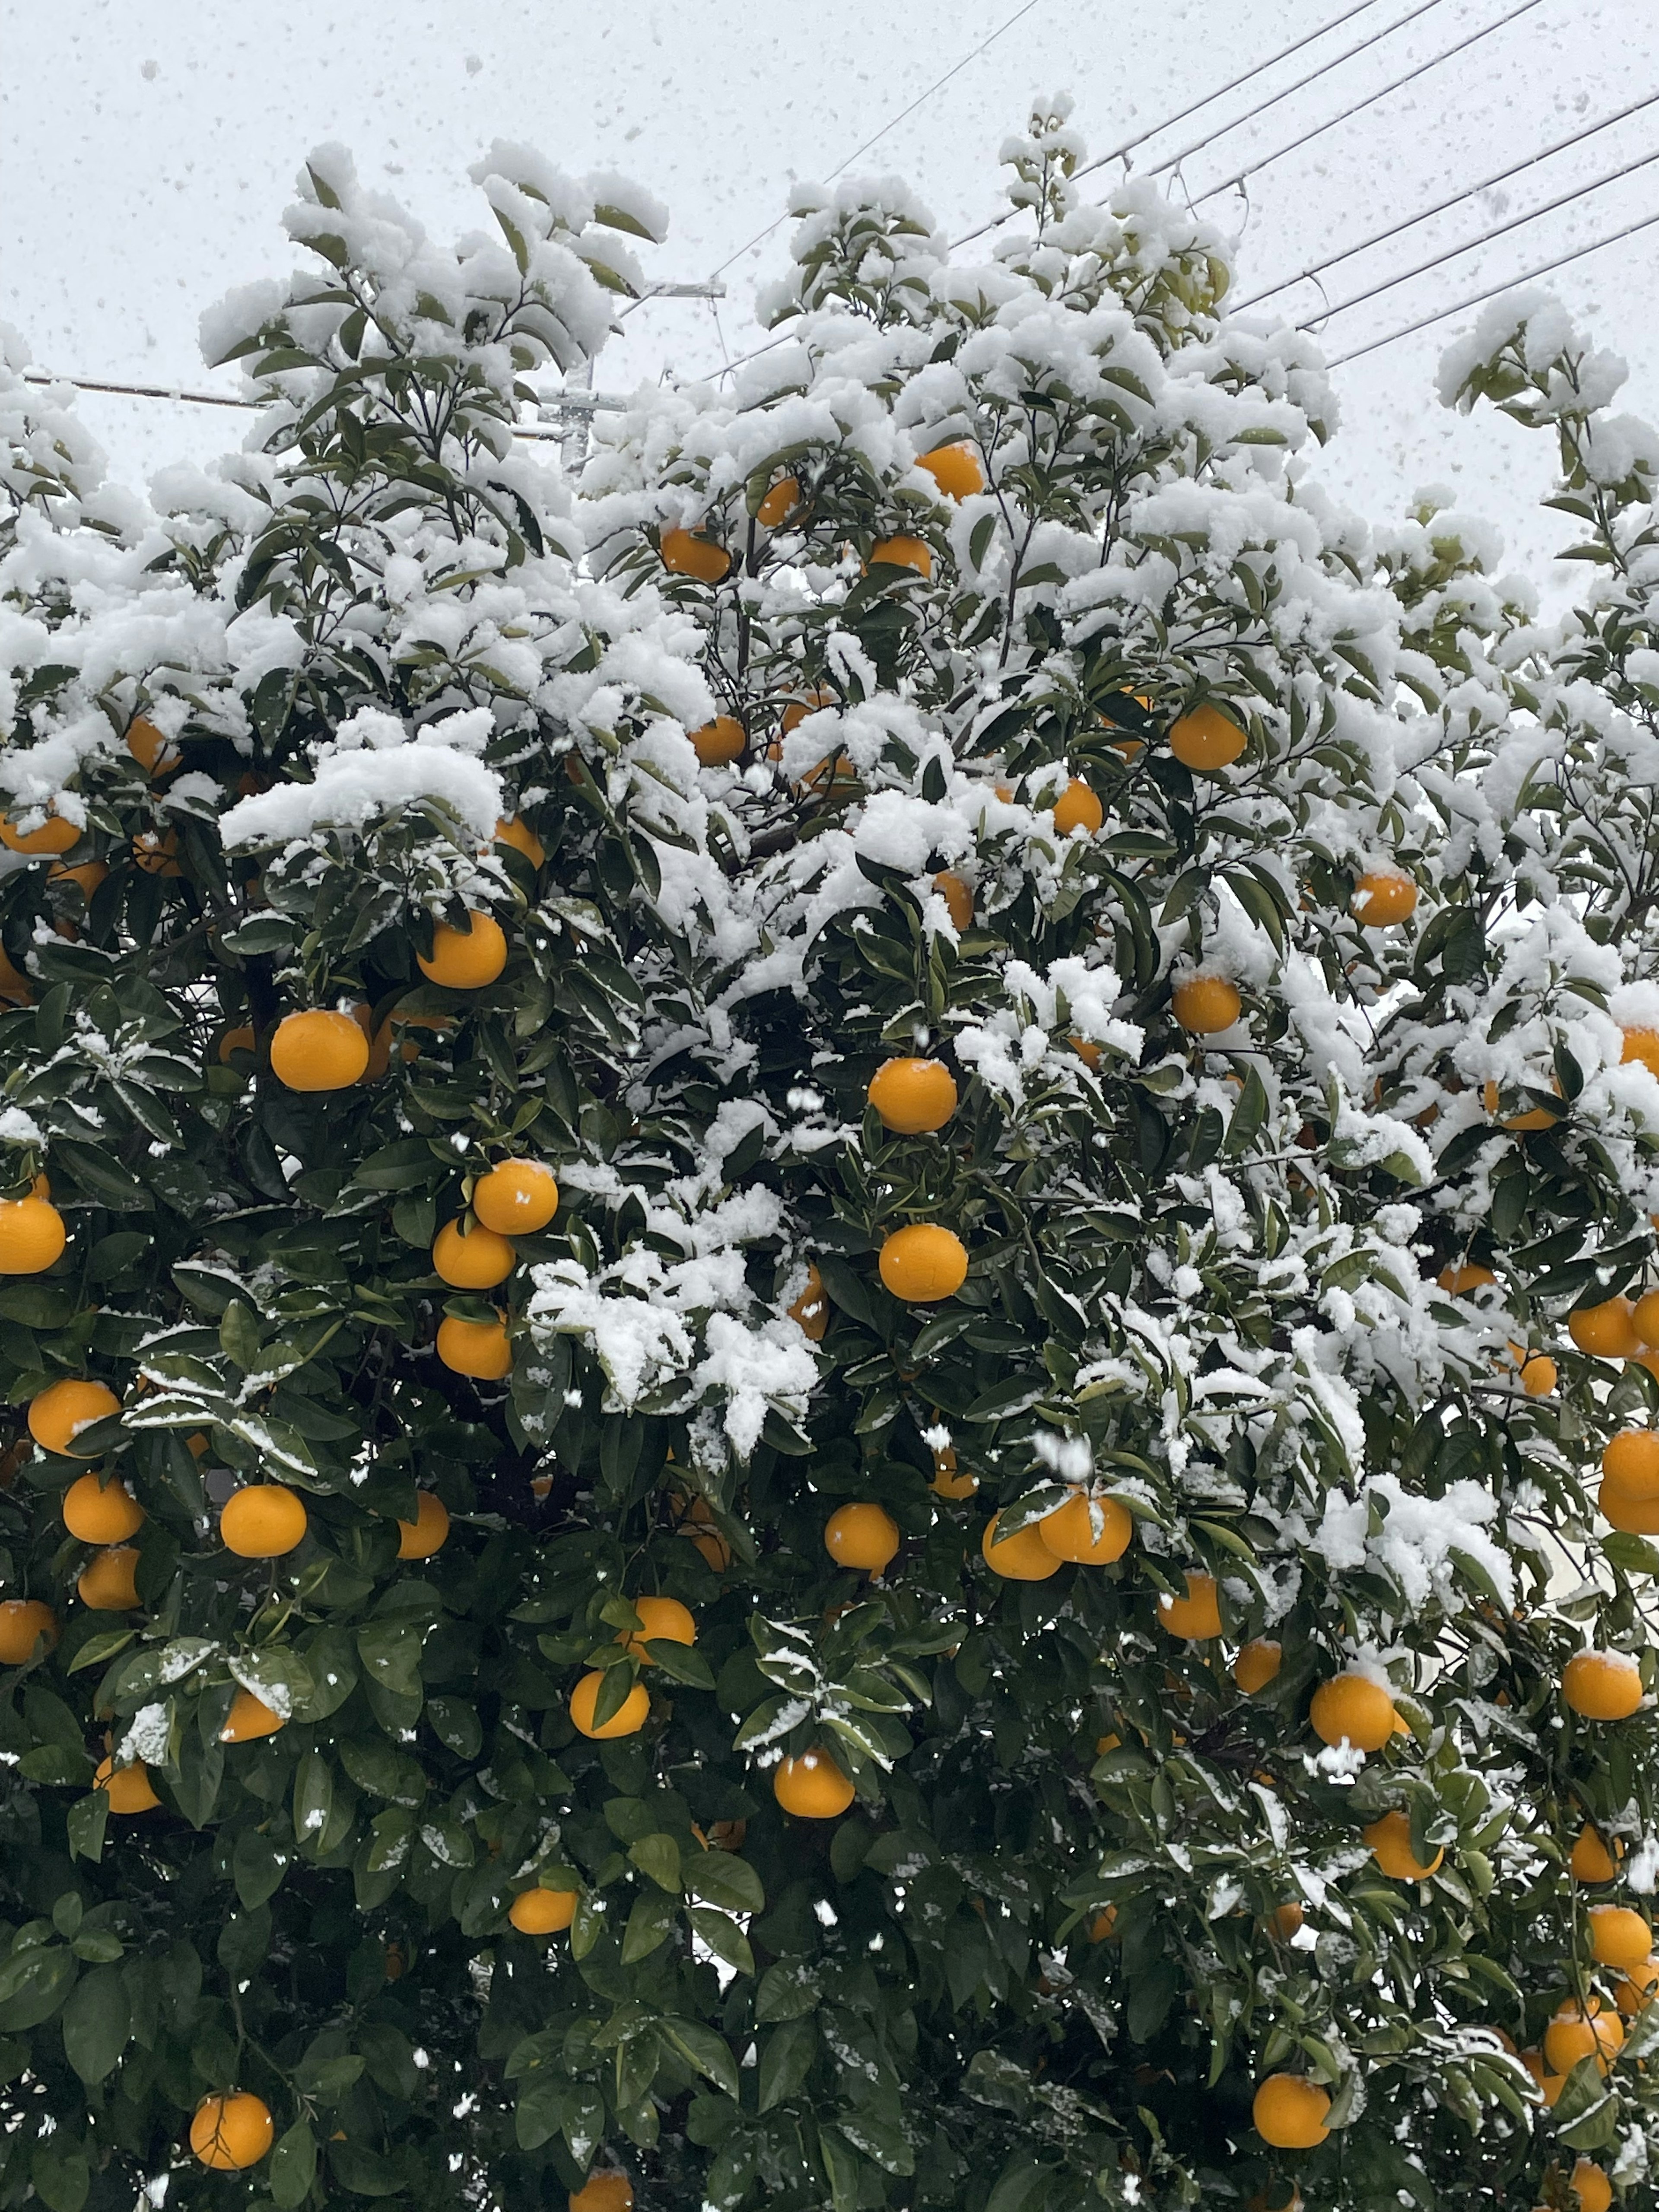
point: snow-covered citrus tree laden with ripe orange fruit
(811, 1262)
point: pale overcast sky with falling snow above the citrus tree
(147, 152)
